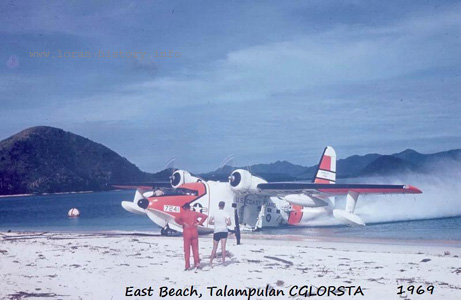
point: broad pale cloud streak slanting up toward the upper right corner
(343, 55)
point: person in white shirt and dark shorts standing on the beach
(220, 220)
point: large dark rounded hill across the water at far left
(46, 159)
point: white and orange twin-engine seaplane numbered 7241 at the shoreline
(256, 203)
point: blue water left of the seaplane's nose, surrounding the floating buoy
(100, 211)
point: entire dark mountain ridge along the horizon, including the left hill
(45, 159)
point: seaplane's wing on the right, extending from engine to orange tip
(287, 188)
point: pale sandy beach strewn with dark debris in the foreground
(114, 265)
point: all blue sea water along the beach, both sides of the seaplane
(101, 211)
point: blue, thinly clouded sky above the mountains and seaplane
(259, 80)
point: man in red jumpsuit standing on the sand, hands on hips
(189, 221)
